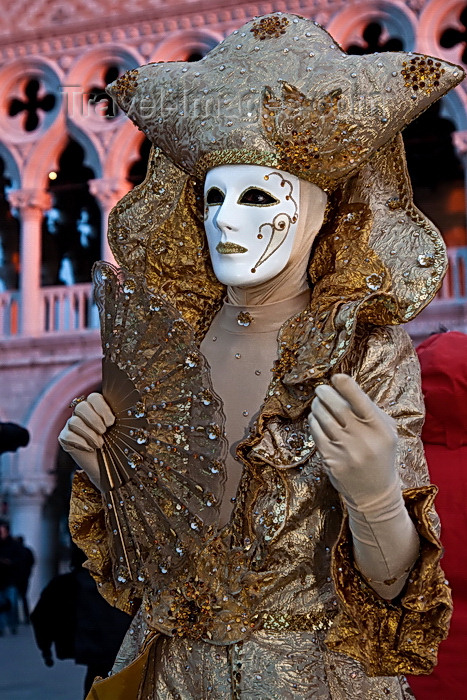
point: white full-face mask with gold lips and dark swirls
(251, 215)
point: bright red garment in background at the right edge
(443, 359)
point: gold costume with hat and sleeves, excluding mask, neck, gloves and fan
(272, 606)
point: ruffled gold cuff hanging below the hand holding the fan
(89, 533)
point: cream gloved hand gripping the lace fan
(82, 435)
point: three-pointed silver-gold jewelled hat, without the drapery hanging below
(281, 92)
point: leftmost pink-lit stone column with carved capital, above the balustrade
(31, 203)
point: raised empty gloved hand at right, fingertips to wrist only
(357, 441)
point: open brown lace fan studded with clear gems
(162, 460)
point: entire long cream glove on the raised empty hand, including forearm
(358, 441)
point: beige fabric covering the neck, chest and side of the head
(241, 349)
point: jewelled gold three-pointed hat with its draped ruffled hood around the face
(280, 92)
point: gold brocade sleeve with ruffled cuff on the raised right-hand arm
(402, 635)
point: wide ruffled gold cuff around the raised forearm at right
(399, 636)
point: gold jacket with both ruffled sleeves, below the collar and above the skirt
(281, 563)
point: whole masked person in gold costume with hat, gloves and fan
(272, 531)
